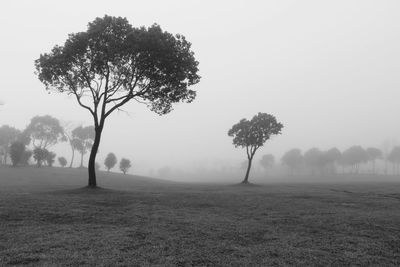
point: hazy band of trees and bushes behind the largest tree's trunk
(40, 135)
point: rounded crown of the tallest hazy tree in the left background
(44, 131)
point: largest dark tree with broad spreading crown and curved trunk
(113, 63)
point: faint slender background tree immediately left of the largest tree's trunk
(82, 139)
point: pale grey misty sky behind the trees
(328, 70)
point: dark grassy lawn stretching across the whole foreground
(46, 219)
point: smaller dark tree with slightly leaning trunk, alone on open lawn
(252, 134)
